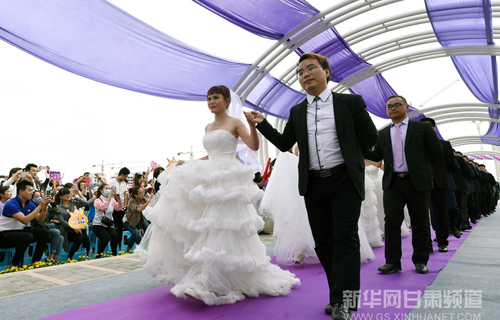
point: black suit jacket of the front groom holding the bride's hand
(355, 130)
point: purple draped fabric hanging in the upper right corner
(469, 22)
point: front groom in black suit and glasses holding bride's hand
(332, 131)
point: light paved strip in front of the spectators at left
(22, 282)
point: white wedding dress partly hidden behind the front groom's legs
(291, 225)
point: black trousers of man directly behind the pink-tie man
(439, 215)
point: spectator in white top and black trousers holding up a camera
(107, 201)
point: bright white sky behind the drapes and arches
(53, 117)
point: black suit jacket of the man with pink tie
(422, 147)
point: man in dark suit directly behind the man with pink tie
(439, 193)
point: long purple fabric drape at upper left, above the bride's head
(99, 41)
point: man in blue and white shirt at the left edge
(17, 213)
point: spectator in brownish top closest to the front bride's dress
(135, 221)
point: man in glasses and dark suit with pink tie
(408, 148)
